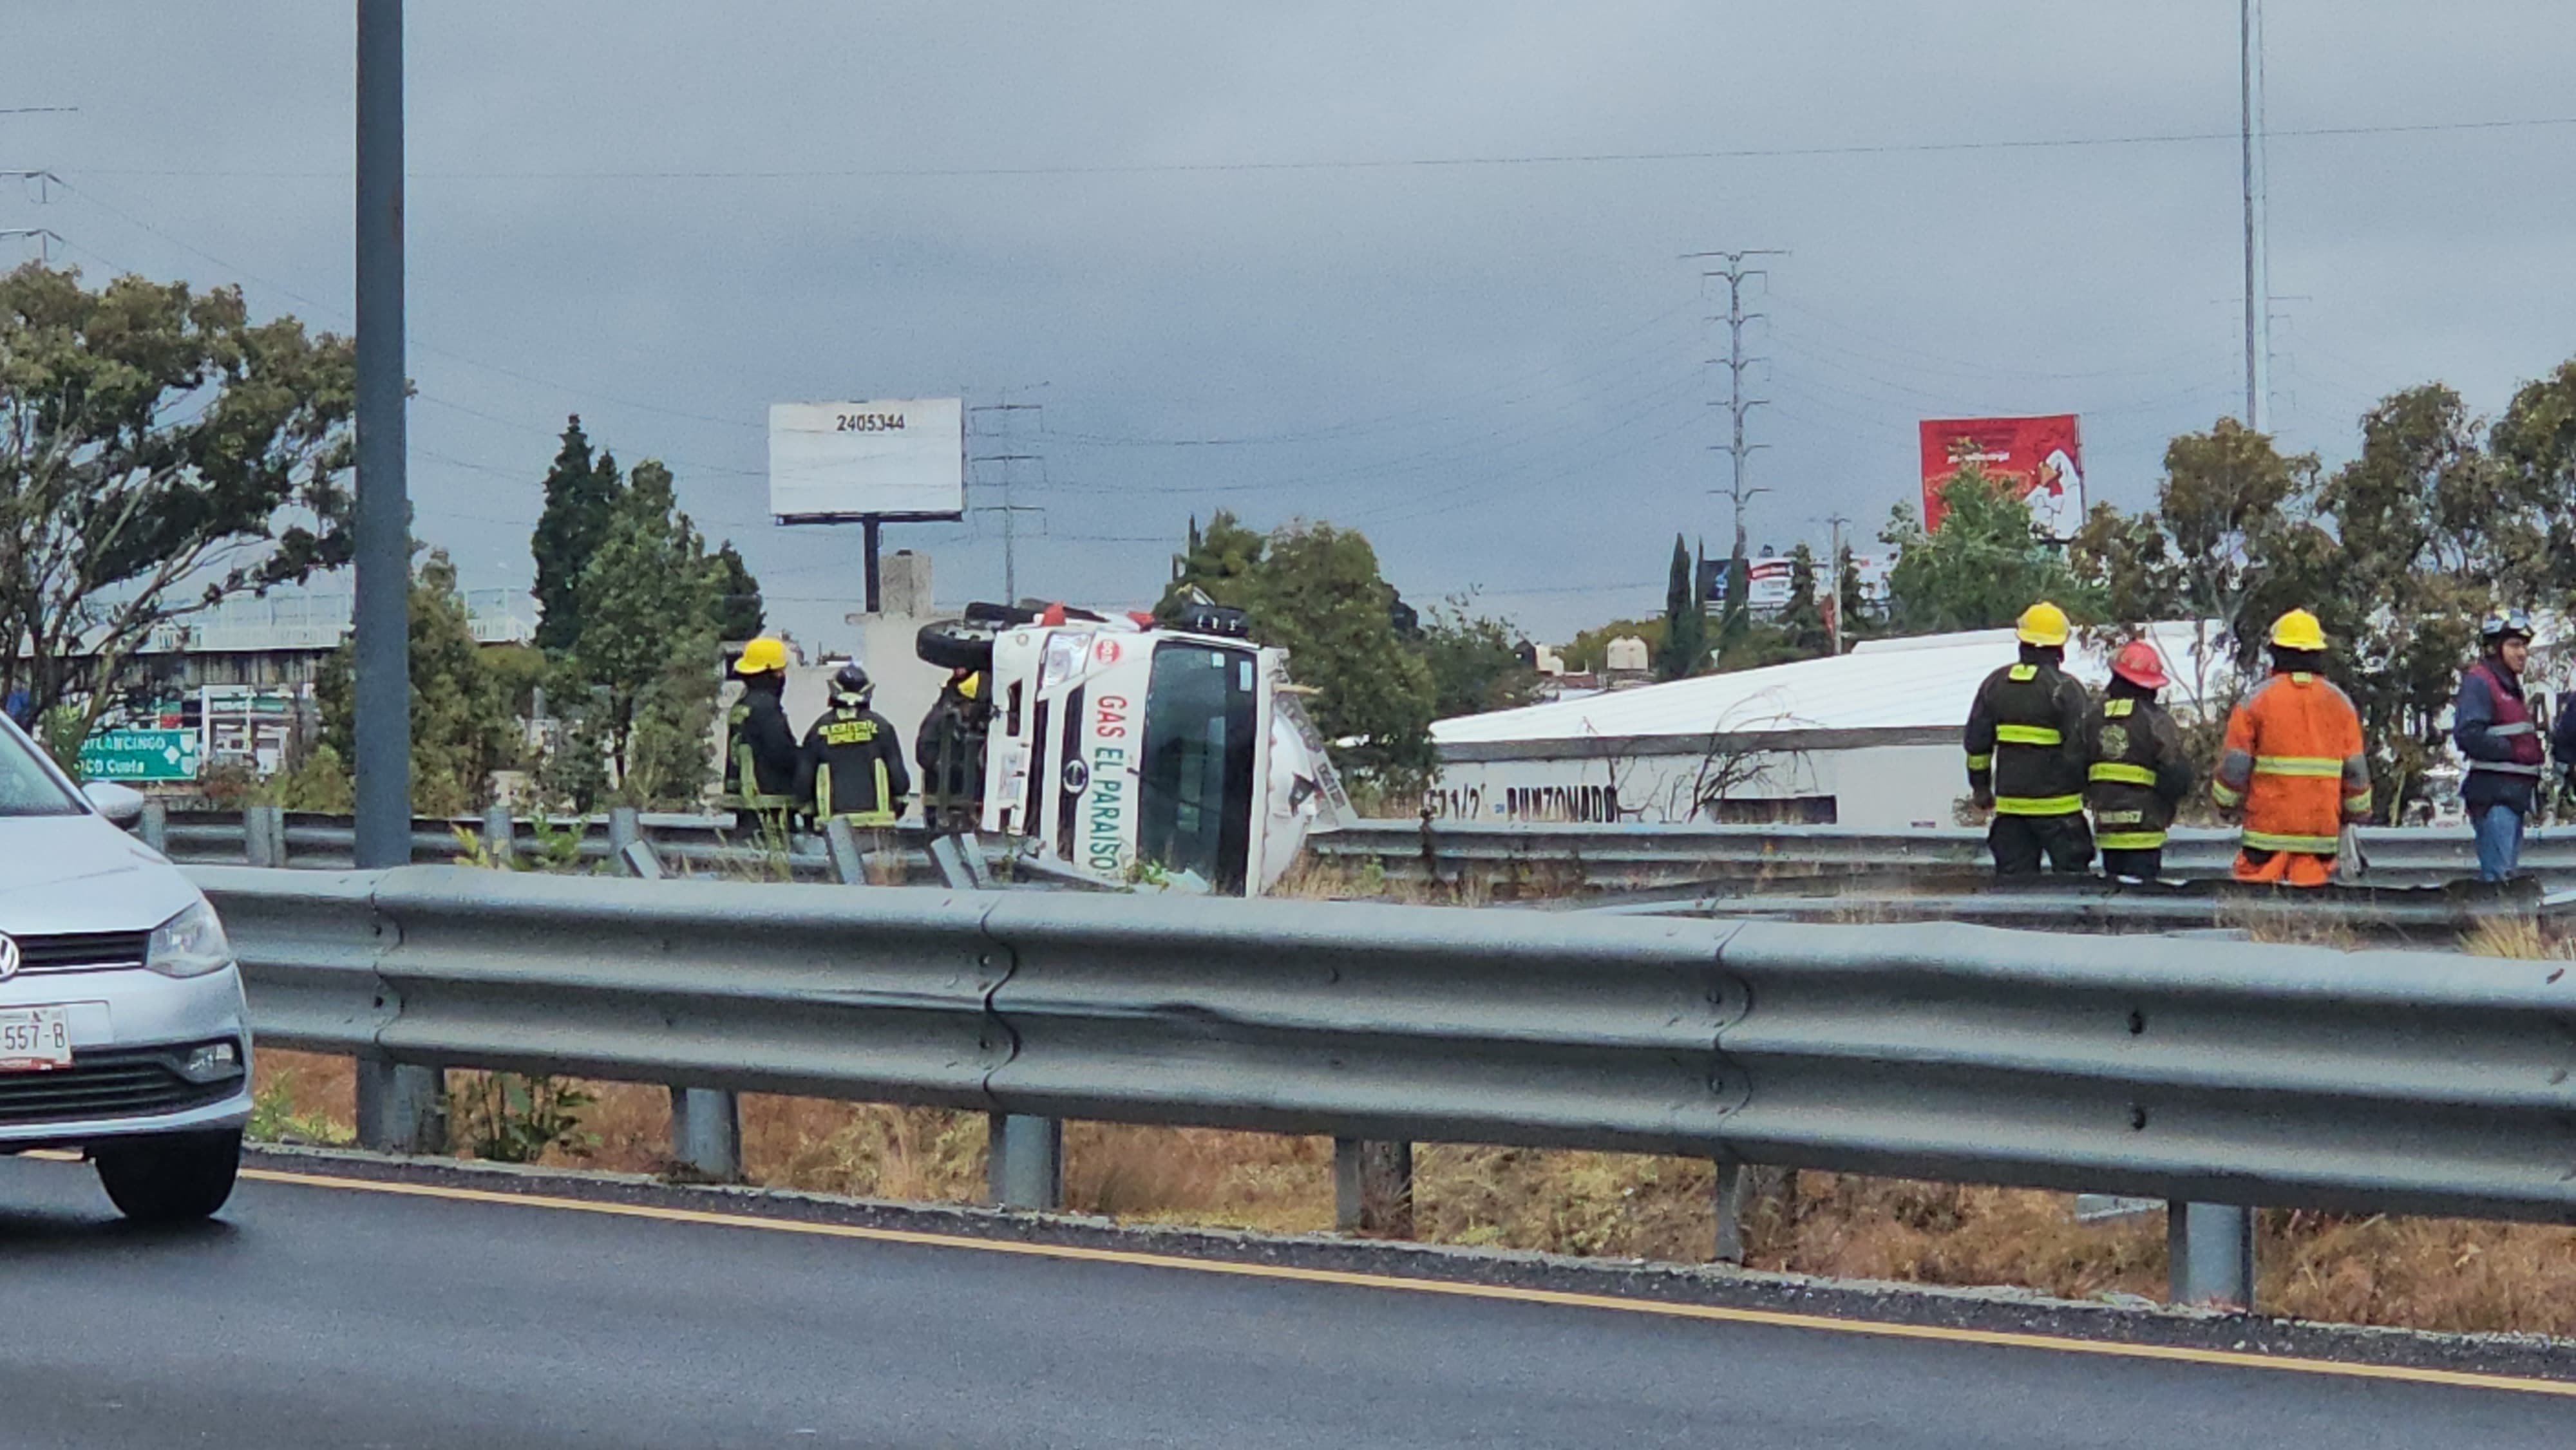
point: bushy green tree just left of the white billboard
(648, 645)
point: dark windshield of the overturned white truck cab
(1199, 740)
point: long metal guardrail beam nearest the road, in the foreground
(2186, 1070)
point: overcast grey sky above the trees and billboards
(668, 218)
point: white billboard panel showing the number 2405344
(867, 460)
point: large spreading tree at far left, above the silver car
(158, 455)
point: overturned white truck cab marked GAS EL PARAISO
(1135, 753)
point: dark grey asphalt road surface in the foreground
(362, 1320)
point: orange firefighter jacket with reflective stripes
(2294, 764)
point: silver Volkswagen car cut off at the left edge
(122, 1026)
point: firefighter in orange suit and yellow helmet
(2294, 766)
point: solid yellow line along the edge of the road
(1616, 1304)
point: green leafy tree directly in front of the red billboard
(1980, 570)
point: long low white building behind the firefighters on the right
(1866, 740)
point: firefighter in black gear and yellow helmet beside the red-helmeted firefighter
(2026, 753)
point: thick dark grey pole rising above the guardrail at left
(385, 519)
